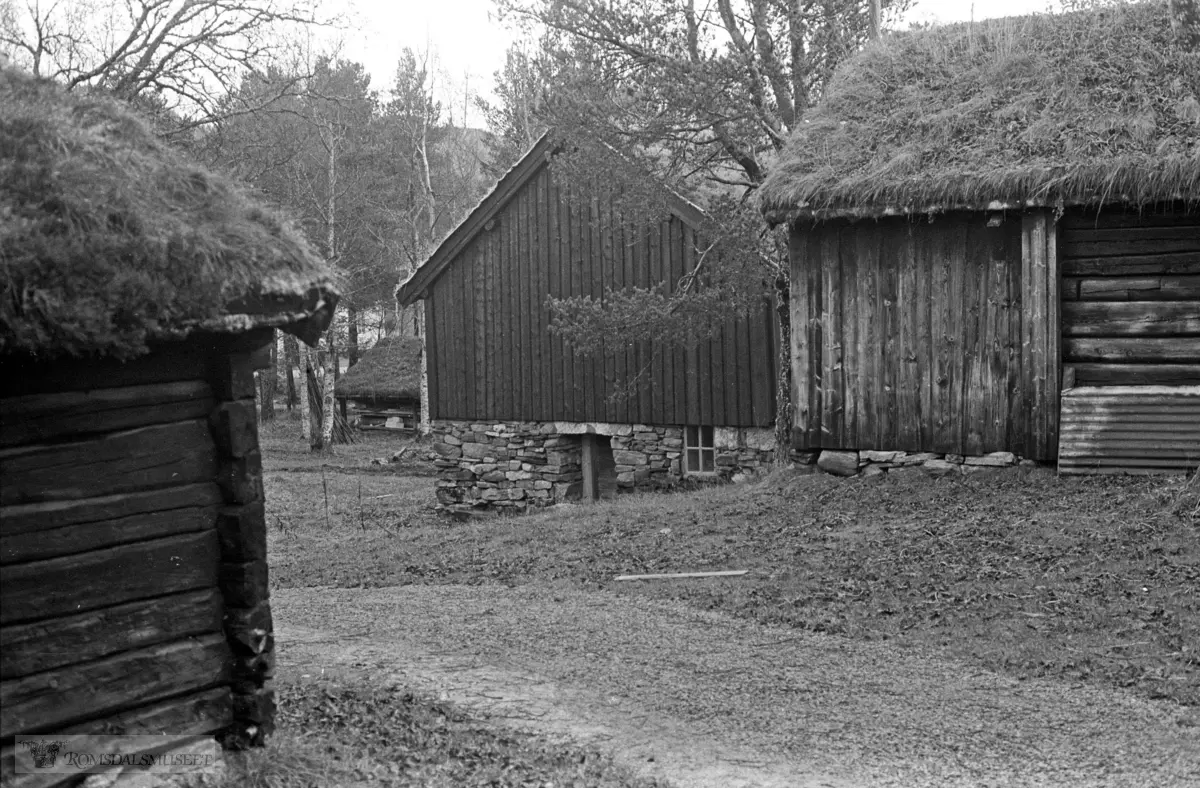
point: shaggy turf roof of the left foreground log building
(111, 240)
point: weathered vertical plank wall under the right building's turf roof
(926, 336)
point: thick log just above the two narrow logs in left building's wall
(142, 459)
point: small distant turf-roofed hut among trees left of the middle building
(385, 387)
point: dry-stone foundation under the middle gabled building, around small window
(501, 466)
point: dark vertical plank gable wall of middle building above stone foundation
(493, 353)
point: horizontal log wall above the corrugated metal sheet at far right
(1132, 297)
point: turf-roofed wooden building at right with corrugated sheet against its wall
(995, 248)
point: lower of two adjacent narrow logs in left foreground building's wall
(35, 546)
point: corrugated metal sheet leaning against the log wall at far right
(1130, 430)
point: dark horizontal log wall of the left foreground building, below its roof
(110, 552)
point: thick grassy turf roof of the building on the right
(1078, 109)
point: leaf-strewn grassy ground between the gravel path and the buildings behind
(1088, 580)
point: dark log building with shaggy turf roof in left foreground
(140, 296)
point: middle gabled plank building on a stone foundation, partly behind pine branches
(525, 422)
